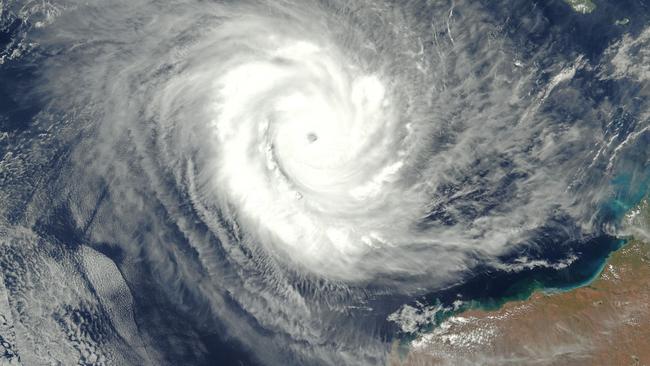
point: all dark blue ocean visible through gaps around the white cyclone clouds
(174, 318)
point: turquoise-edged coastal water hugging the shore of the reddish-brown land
(492, 289)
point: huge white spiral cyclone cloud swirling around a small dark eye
(281, 176)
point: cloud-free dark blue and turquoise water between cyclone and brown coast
(556, 264)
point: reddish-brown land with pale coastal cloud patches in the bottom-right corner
(604, 323)
